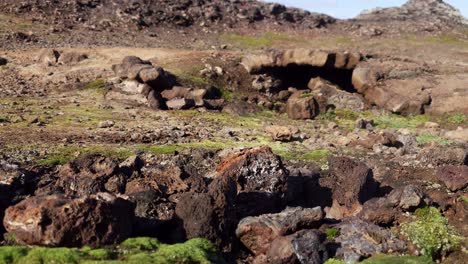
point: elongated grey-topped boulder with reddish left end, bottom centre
(257, 233)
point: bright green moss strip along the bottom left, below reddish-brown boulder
(134, 250)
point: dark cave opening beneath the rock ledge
(298, 76)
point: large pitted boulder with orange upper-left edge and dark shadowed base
(261, 179)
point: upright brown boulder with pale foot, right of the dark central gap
(352, 185)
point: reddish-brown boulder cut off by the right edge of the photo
(454, 177)
